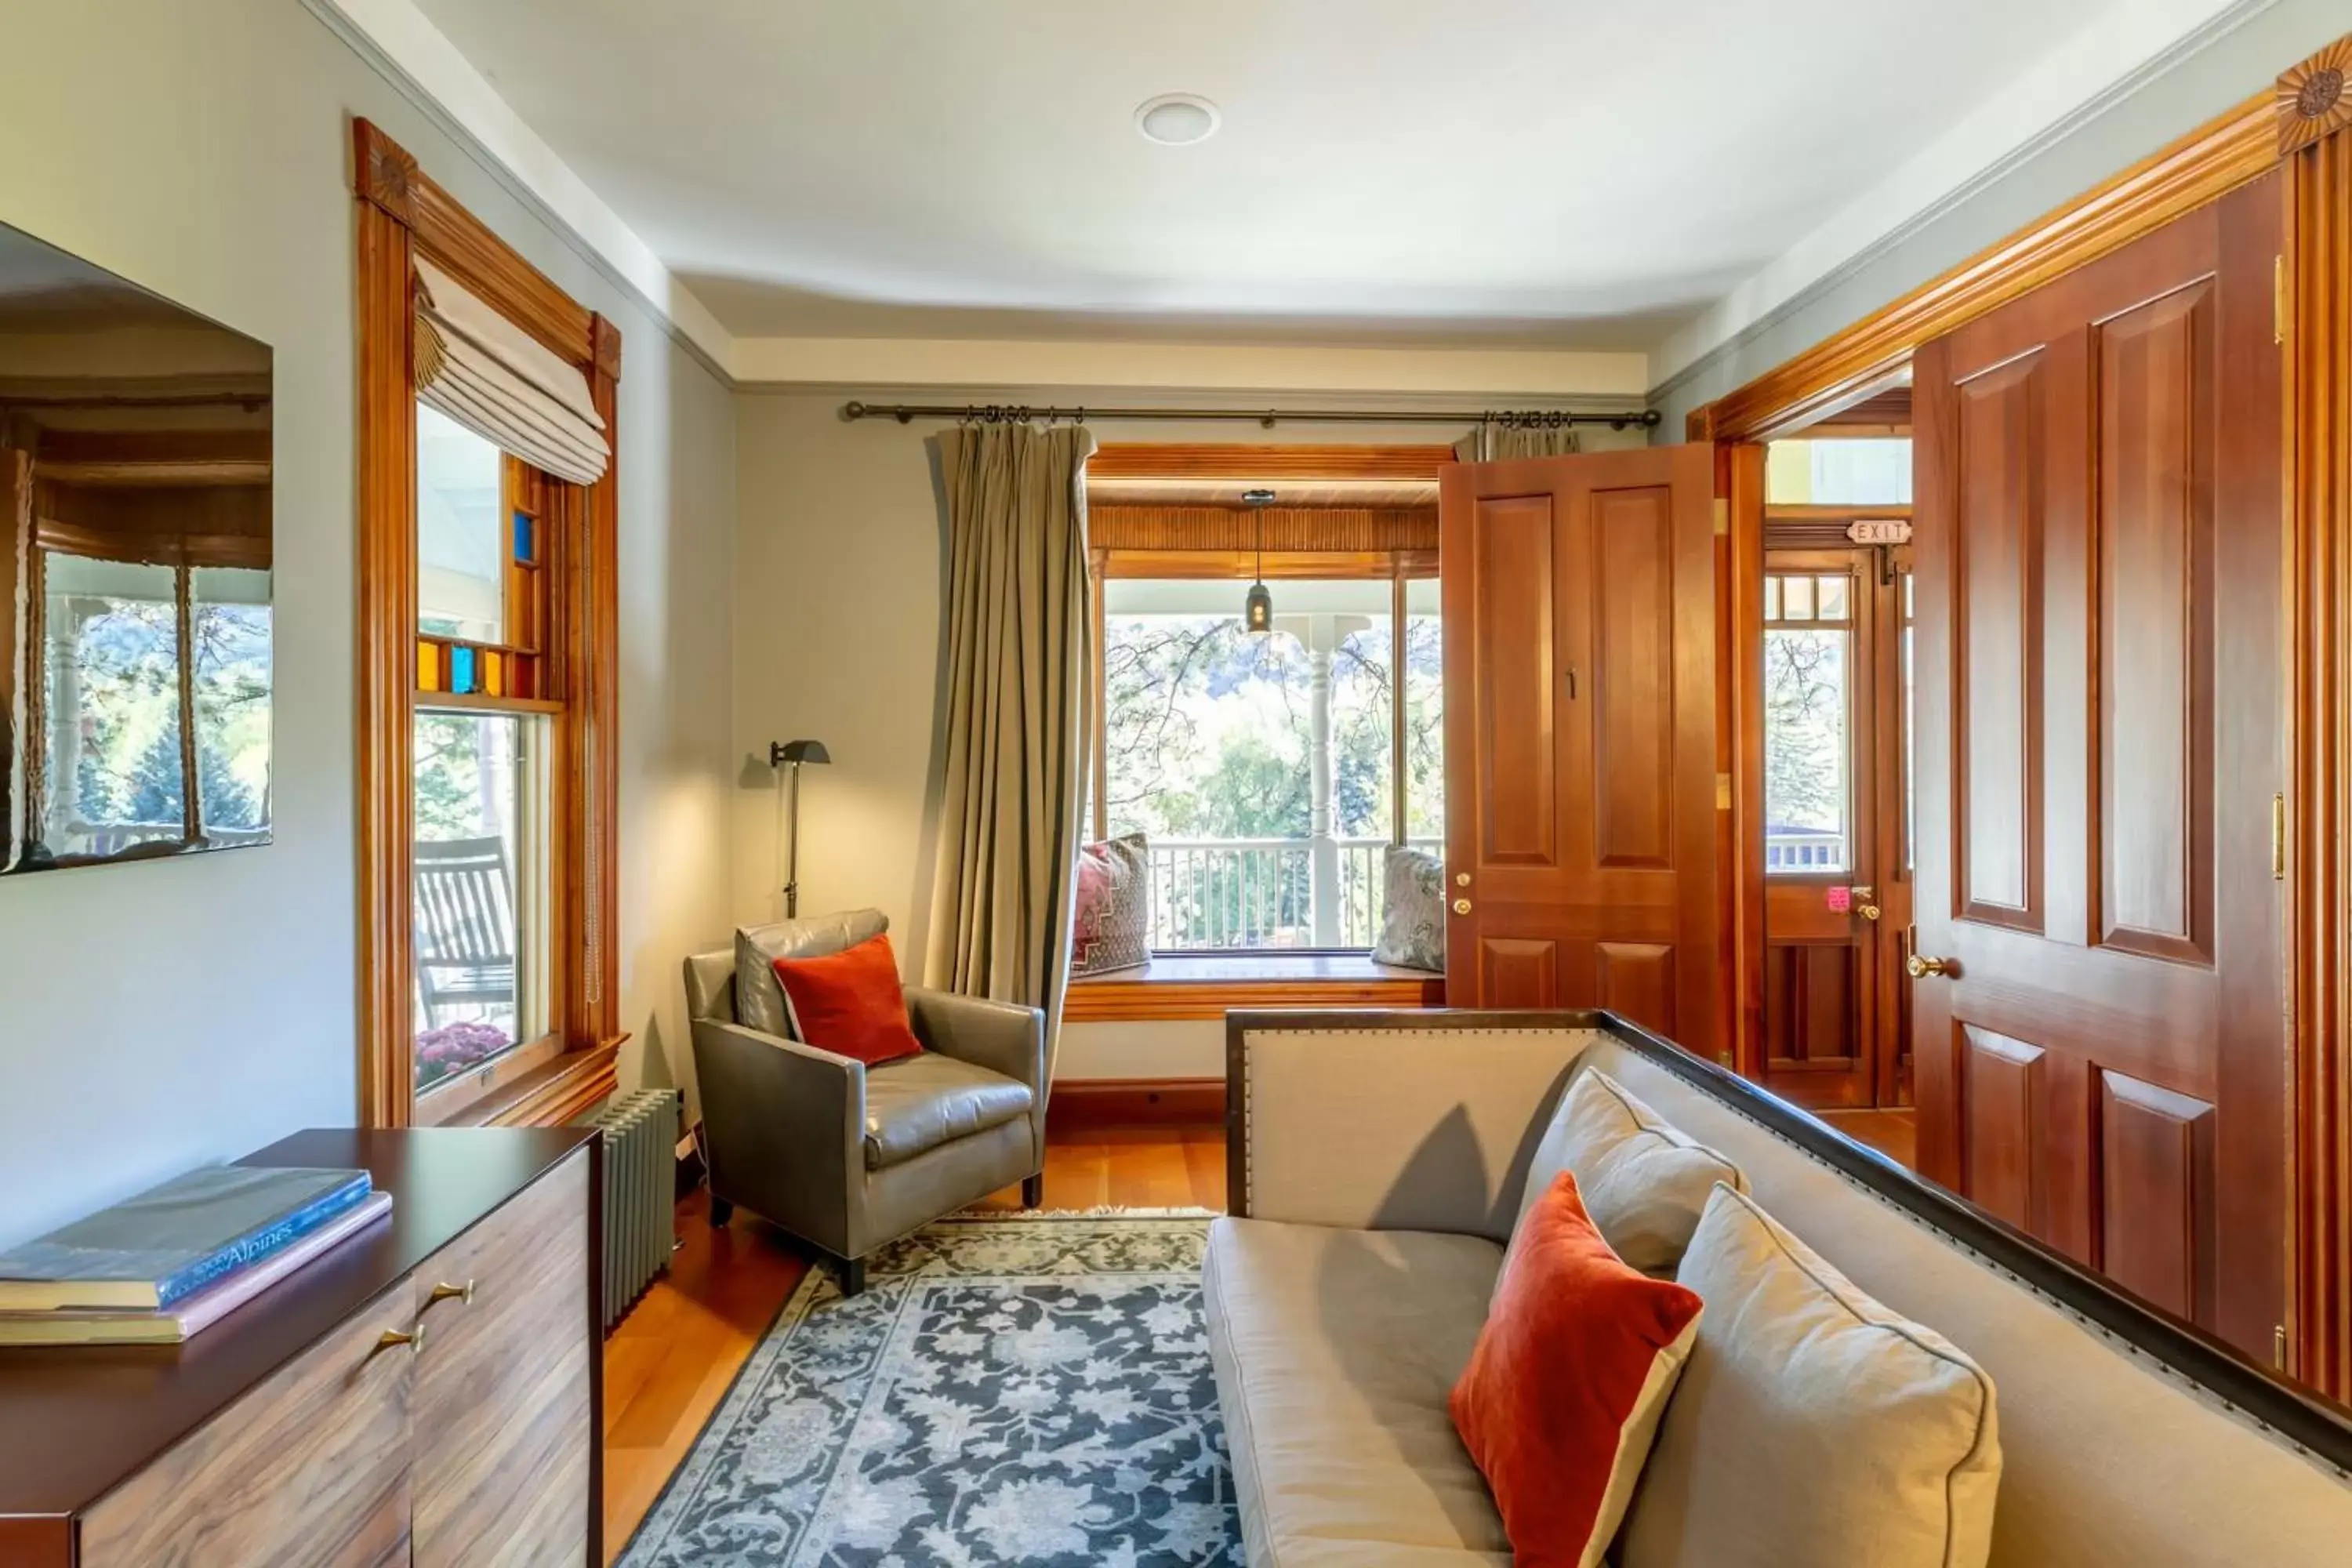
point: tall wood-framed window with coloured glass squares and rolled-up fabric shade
(488, 542)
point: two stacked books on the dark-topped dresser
(180, 1257)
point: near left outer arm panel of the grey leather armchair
(784, 1127)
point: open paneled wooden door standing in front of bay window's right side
(1582, 791)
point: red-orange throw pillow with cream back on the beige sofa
(1568, 1383)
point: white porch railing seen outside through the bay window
(1241, 894)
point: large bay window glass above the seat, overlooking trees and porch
(1264, 765)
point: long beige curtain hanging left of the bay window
(1017, 728)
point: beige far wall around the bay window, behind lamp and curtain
(838, 638)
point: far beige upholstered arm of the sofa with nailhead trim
(1389, 1120)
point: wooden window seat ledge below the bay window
(1210, 984)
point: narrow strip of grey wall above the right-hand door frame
(2172, 105)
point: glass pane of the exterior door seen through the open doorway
(1808, 723)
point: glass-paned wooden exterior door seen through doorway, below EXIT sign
(1822, 845)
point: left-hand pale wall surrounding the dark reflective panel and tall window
(159, 1017)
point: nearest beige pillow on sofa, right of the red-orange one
(1812, 1423)
